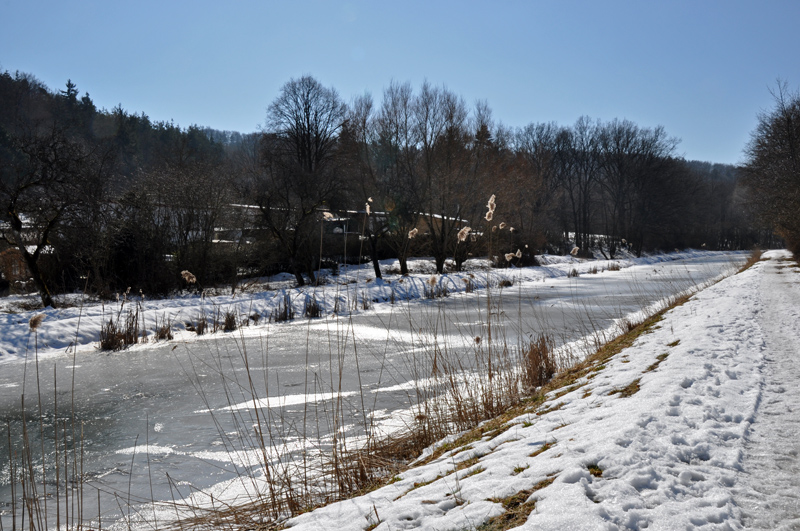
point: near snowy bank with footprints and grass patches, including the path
(661, 436)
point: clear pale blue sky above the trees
(700, 68)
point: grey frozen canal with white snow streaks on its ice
(186, 411)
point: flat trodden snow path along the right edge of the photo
(770, 493)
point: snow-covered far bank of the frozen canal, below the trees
(78, 323)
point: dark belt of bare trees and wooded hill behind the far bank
(106, 200)
